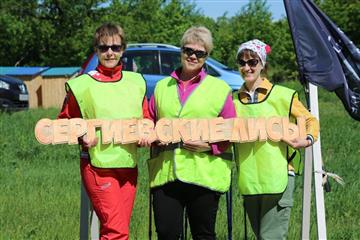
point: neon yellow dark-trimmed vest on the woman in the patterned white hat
(263, 166)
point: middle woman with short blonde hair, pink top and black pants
(190, 175)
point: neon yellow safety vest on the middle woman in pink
(202, 169)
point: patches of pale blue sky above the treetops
(216, 8)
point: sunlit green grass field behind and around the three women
(40, 185)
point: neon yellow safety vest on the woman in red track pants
(110, 100)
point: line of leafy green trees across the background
(59, 32)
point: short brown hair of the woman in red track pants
(109, 30)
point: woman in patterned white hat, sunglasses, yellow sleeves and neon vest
(266, 169)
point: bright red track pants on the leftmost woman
(112, 194)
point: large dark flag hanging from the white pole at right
(326, 56)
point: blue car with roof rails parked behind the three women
(156, 61)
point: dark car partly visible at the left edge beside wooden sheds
(13, 94)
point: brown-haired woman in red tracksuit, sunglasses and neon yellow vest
(108, 171)
